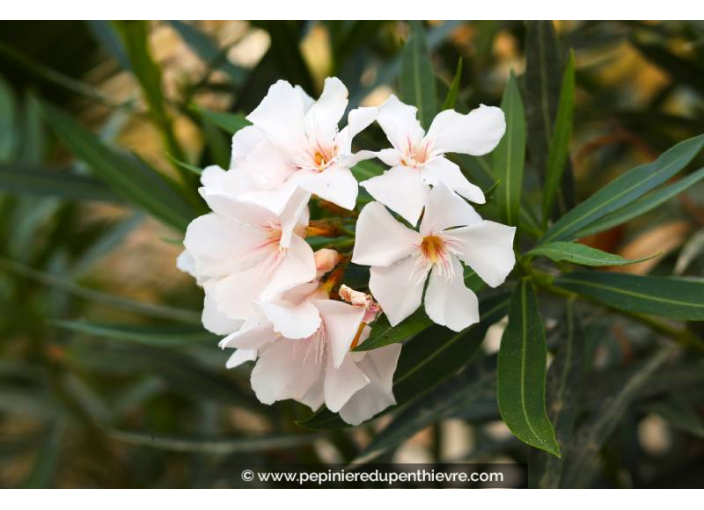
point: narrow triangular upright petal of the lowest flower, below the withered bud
(341, 322)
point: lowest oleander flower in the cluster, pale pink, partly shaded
(302, 346)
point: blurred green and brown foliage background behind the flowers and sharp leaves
(150, 404)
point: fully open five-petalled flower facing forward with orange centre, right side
(402, 259)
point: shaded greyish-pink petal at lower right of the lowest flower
(379, 366)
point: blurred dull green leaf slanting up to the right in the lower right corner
(596, 431)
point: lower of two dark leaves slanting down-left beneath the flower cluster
(466, 389)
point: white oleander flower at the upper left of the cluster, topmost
(294, 144)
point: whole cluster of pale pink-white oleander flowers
(279, 303)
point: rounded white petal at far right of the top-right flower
(476, 133)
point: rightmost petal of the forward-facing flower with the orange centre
(488, 249)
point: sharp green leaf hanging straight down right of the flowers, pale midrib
(521, 373)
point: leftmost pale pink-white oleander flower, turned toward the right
(243, 253)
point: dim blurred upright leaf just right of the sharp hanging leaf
(565, 381)
